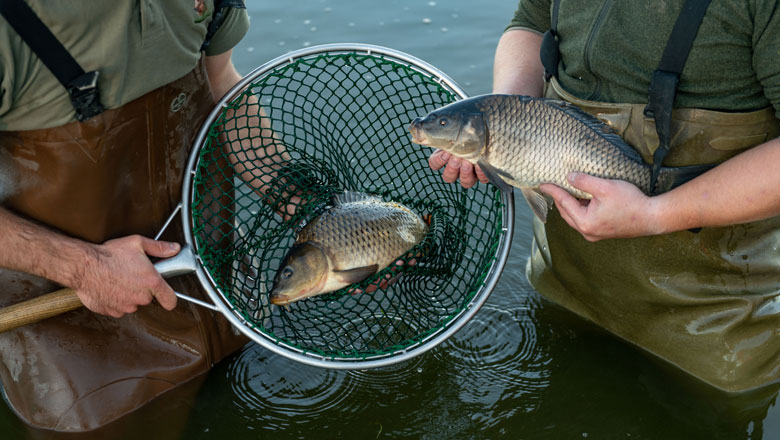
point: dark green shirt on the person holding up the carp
(609, 49)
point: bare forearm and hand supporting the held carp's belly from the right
(740, 190)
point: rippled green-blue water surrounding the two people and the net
(522, 368)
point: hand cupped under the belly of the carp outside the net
(618, 209)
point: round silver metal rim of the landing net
(296, 354)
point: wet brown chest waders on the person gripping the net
(115, 174)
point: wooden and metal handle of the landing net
(65, 300)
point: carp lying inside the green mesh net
(356, 237)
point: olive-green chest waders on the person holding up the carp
(707, 302)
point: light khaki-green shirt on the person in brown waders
(137, 46)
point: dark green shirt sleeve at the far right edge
(766, 50)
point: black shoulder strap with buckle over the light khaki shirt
(81, 86)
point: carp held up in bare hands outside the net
(523, 142)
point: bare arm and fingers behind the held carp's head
(517, 70)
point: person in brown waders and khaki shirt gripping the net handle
(99, 104)
